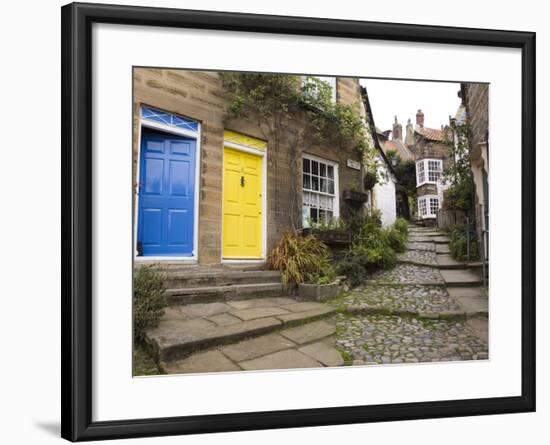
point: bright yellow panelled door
(242, 205)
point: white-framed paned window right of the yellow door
(319, 190)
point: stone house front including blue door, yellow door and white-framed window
(222, 181)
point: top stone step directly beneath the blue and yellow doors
(181, 279)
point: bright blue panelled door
(166, 194)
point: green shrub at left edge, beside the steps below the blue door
(149, 300)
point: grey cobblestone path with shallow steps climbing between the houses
(409, 314)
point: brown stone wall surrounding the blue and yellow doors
(199, 96)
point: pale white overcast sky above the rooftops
(438, 101)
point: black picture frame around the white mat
(77, 20)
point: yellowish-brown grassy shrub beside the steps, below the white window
(298, 257)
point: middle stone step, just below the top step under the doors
(207, 294)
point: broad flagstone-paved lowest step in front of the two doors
(187, 329)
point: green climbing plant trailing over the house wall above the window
(297, 112)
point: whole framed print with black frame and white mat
(275, 222)
